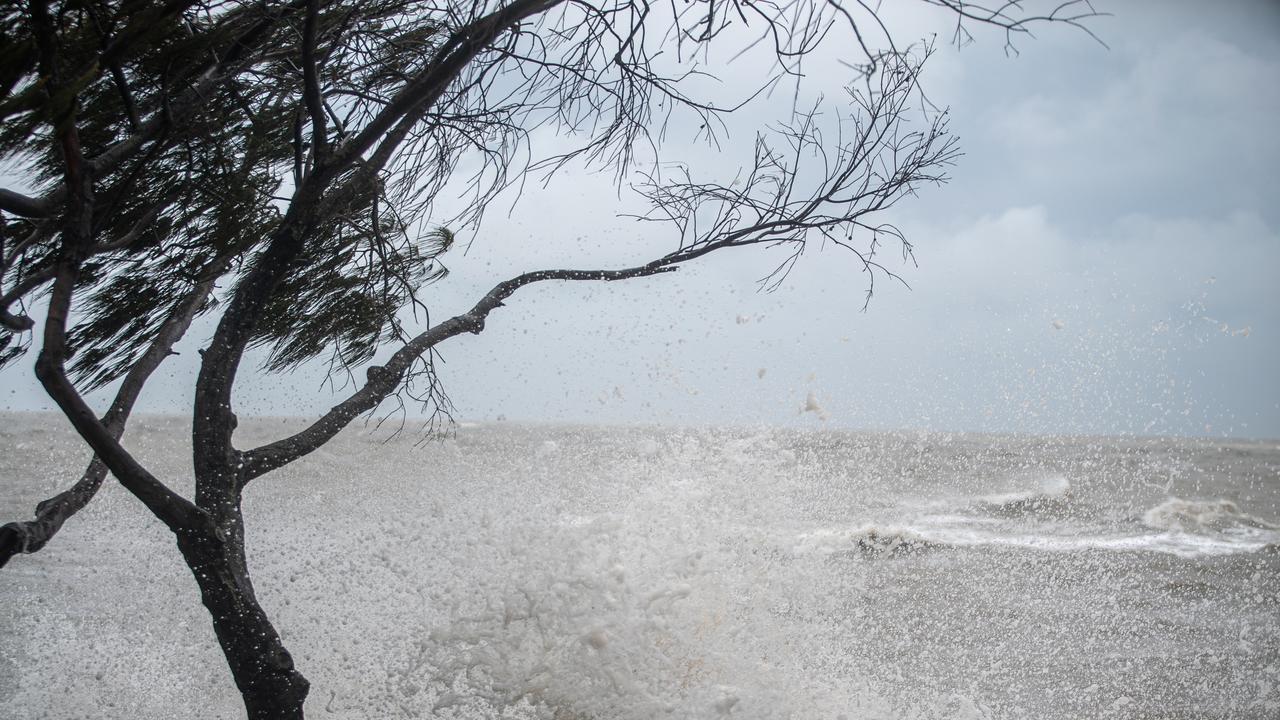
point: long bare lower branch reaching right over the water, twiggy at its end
(769, 208)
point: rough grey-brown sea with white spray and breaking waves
(633, 573)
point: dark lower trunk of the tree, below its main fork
(273, 690)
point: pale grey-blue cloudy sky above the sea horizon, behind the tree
(1103, 262)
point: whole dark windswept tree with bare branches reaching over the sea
(278, 166)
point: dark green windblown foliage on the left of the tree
(205, 197)
